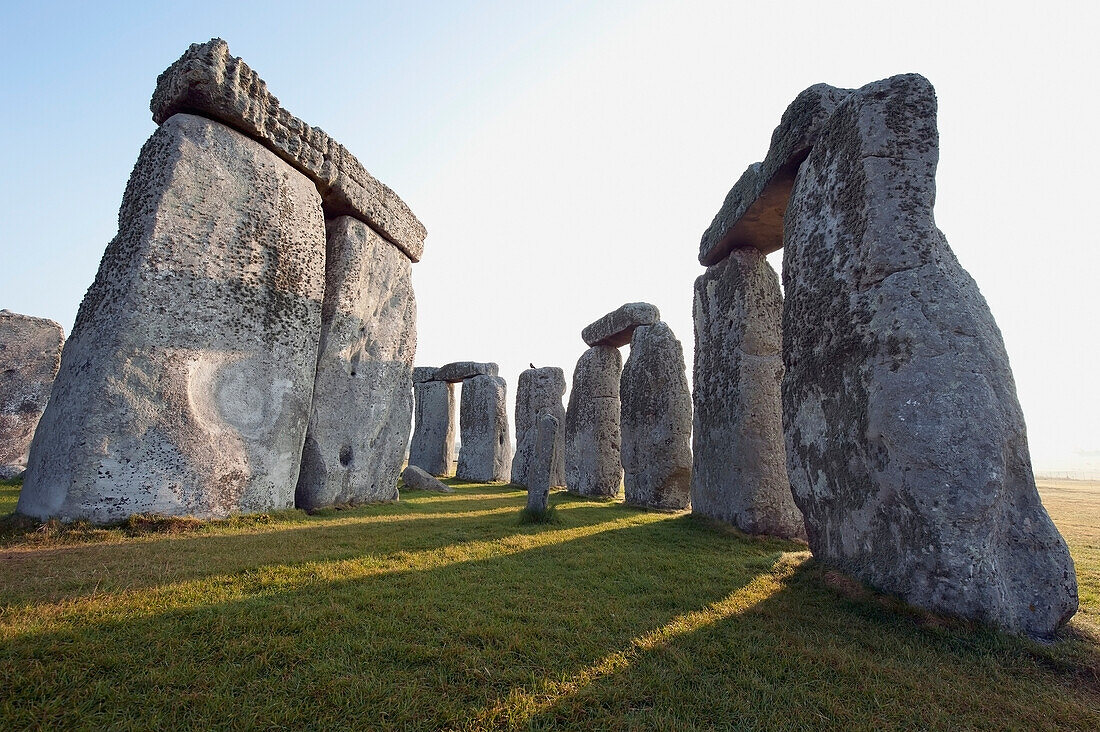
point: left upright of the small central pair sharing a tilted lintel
(593, 438)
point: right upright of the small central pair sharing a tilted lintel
(656, 419)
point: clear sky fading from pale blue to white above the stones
(566, 157)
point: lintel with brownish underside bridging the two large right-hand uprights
(753, 213)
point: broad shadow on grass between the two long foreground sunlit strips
(412, 649)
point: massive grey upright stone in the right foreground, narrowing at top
(906, 444)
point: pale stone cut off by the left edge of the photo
(30, 355)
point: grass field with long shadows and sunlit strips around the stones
(444, 611)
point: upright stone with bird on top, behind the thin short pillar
(538, 392)
